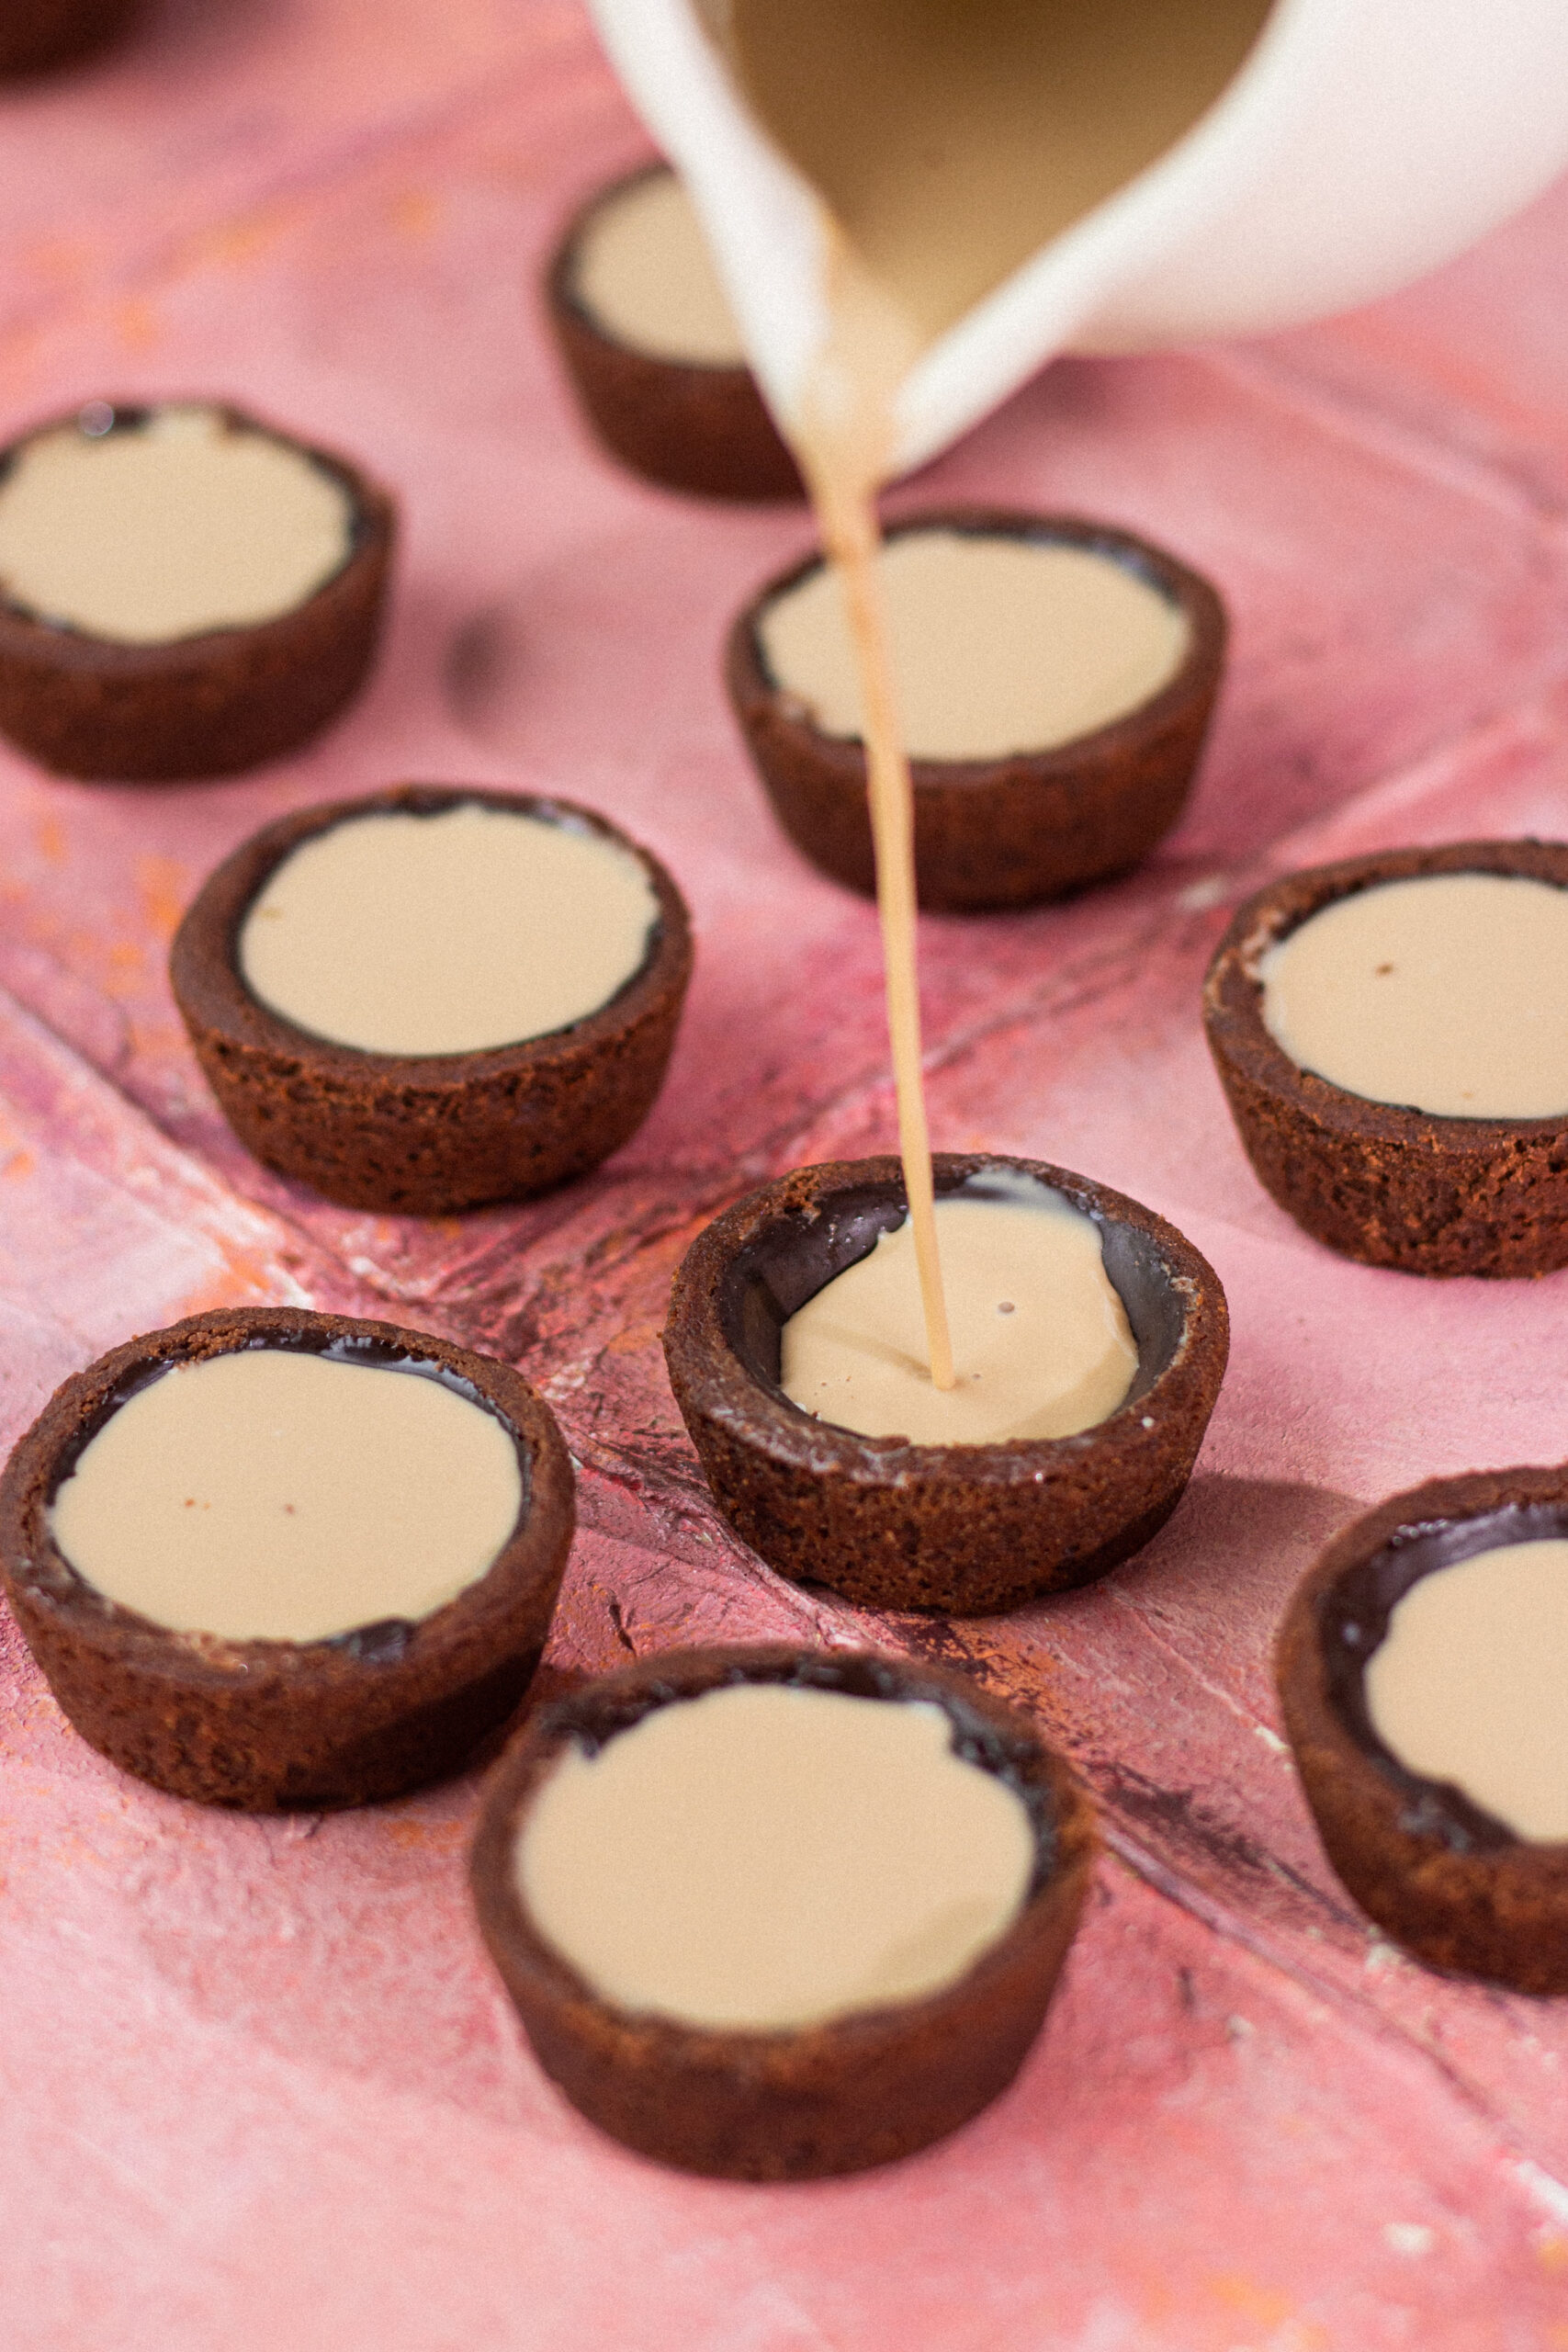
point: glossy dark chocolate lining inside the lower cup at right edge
(1353, 1622)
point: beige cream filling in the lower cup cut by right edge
(1470, 1683)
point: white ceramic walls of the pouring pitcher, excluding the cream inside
(1362, 145)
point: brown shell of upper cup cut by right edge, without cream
(1381, 1182)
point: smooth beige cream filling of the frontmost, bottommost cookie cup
(770, 1857)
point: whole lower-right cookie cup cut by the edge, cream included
(1421, 1671)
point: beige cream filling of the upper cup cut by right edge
(1447, 994)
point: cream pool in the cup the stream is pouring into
(1040, 1337)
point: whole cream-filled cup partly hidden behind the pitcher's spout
(652, 349)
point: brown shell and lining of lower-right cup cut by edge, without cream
(1435, 1871)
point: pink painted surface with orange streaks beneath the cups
(257, 2083)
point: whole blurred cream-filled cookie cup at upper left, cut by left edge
(182, 592)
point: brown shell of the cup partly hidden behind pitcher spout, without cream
(683, 425)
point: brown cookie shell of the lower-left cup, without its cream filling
(286, 1725)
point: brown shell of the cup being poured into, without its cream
(892, 1525)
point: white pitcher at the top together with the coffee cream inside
(1113, 175)
